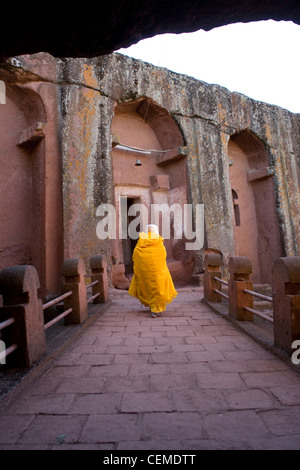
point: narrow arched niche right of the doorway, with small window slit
(256, 227)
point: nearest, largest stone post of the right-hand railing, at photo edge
(286, 301)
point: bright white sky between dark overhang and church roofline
(260, 60)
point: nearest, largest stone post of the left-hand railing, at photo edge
(19, 287)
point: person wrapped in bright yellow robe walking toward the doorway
(152, 283)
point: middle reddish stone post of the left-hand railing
(74, 272)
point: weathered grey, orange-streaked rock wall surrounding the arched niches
(207, 116)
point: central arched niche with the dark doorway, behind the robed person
(146, 133)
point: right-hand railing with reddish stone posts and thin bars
(285, 300)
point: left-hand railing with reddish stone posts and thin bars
(23, 313)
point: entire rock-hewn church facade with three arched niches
(72, 131)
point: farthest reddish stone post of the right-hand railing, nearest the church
(212, 269)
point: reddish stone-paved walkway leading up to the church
(185, 380)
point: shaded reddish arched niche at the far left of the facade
(22, 120)
